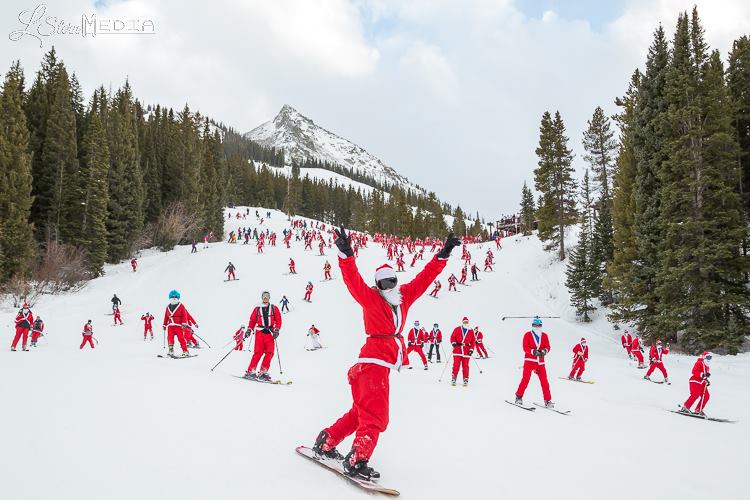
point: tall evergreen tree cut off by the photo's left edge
(16, 231)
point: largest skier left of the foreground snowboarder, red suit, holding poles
(265, 321)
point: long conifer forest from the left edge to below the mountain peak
(100, 174)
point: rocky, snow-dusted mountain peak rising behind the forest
(302, 139)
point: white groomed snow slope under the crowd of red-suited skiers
(117, 422)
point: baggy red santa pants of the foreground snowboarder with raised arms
(368, 416)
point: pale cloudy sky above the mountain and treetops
(449, 93)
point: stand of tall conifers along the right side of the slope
(664, 211)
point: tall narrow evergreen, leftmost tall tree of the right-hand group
(554, 180)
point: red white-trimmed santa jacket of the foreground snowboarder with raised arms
(384, 322)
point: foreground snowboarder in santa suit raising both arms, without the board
(385, 307)
